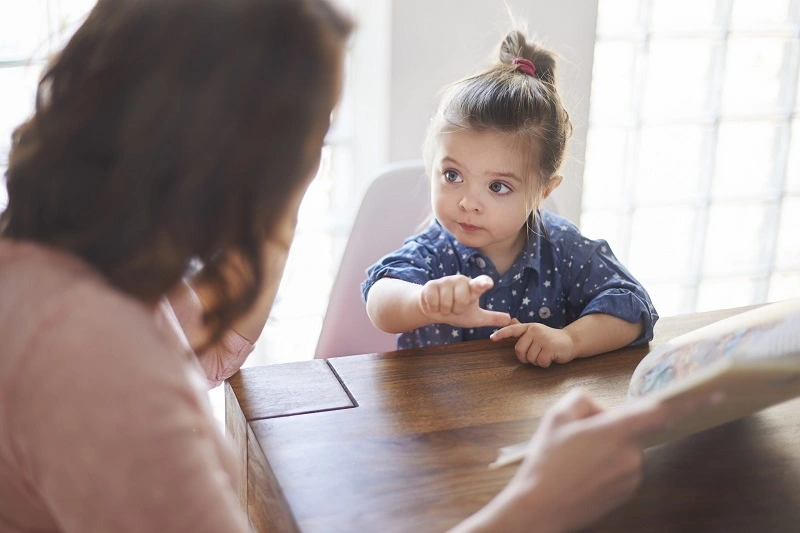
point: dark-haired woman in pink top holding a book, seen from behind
(169, 134)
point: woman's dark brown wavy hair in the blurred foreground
(168, 131)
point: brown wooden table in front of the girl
(401, 442)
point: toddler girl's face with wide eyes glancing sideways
(479, 190)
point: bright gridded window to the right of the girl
(693, 152)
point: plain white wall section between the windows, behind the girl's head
(435, 42)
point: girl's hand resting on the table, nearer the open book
(538, 344)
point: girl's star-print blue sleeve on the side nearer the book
(601, 284)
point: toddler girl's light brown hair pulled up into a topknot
(506, 99)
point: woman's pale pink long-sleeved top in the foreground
(104, 418)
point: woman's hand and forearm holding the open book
(582, 462)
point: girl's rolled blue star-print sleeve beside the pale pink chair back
(418, 261)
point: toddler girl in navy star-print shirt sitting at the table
(492, 264)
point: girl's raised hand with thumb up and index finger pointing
(455, 300)
